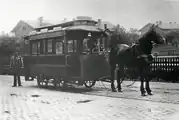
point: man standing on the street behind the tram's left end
(16, 63)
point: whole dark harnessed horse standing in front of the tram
(137, 56)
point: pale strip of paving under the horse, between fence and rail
(164, 92)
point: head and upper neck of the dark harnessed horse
(149, 39)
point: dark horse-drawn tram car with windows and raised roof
(66, 53)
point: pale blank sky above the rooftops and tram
(128, 13)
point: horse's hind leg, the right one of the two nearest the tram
(119, 75)
